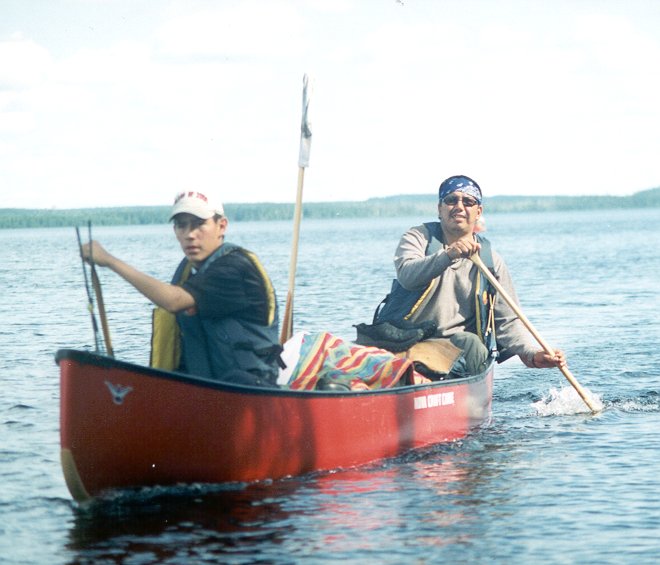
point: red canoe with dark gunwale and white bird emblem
(124, 425)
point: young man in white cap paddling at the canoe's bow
(223, 300)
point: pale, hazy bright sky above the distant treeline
(128, 102)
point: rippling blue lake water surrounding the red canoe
(545, 481)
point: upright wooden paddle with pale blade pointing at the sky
(303, 162)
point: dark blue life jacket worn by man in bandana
(400, 304)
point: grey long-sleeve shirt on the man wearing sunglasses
(450, 302)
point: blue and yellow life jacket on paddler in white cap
(214, 347)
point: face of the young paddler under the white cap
(199, 238)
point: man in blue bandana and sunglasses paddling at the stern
(450, 302)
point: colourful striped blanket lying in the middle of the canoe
(323, 355)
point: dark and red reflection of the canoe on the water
(440, 489)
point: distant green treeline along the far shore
(391, 206)
